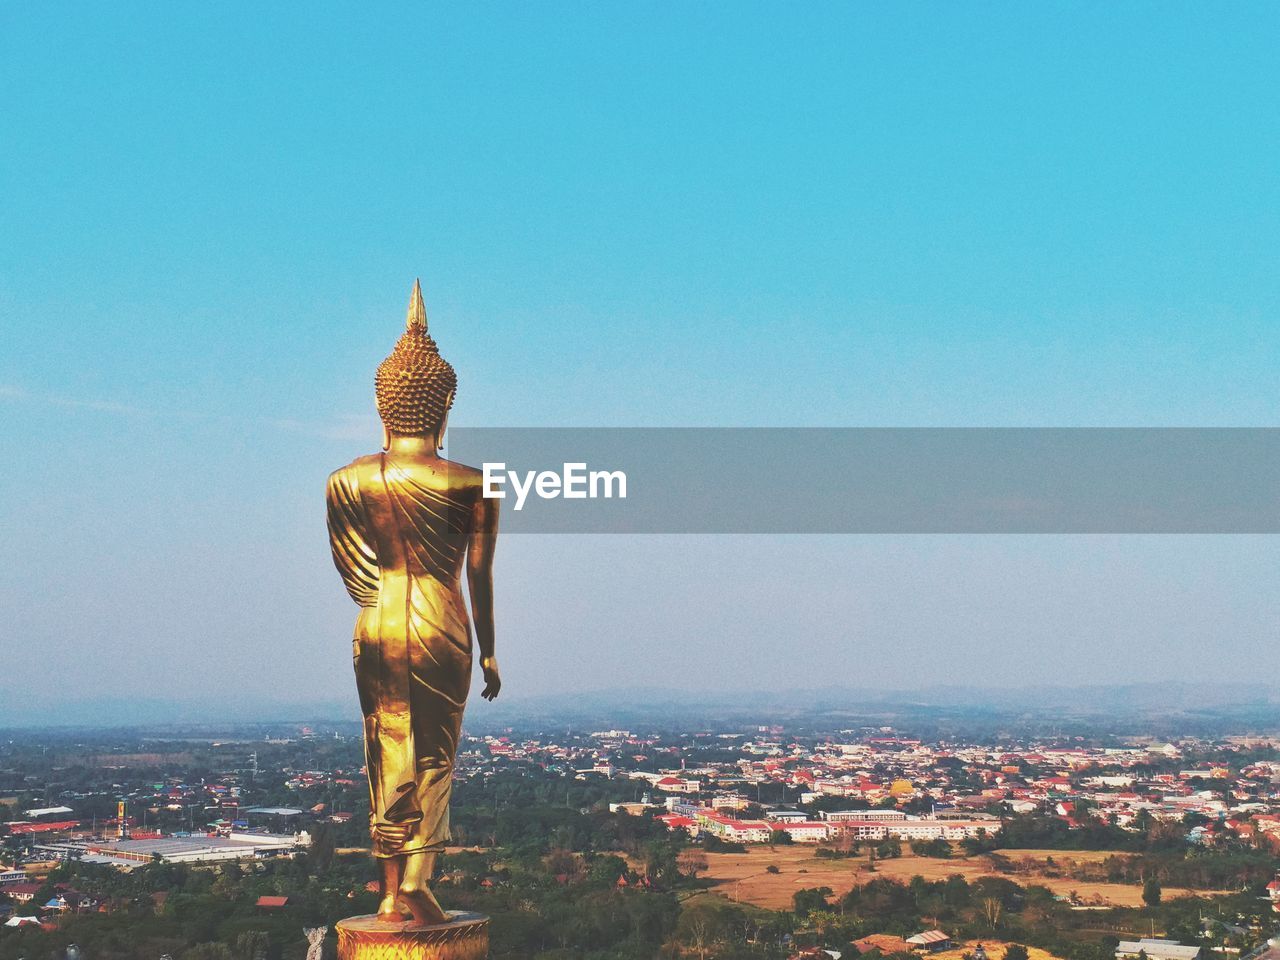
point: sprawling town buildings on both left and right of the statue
(755, 787)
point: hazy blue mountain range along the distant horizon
(1156, 710)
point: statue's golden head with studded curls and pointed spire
(415, 385)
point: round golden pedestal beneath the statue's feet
(464, 938)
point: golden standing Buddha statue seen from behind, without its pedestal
(403, 524)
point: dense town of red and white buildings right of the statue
(748, 788)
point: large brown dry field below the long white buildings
(744, 877)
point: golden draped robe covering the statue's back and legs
(399, 534)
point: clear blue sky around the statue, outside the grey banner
(642, 214)
